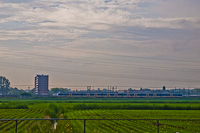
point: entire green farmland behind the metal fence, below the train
(101, 109)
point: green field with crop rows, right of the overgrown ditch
(136, 126)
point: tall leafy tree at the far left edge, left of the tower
(4, 84)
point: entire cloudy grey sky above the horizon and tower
(132, 43)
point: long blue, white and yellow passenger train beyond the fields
(120, 95)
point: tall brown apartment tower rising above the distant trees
(41, 84)
